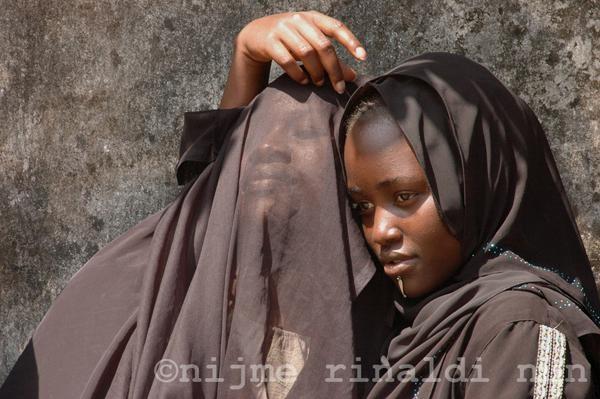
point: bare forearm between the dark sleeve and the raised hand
(247, 78)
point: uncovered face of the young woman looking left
(399, 218)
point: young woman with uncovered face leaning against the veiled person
(456, 189)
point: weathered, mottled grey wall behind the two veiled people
(92, 94)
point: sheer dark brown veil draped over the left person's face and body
(256, 263)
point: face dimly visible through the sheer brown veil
(282, 162)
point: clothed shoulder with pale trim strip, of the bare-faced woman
(521, 344)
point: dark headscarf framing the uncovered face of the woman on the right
(496, 187)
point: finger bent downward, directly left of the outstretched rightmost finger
(325, 51)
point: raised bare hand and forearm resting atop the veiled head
(287, 38)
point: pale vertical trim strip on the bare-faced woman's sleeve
(550, 364)
